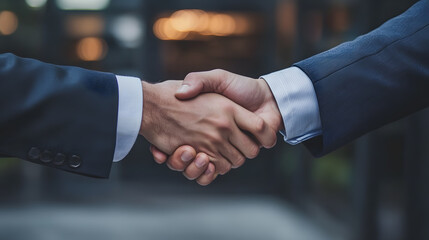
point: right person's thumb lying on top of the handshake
(214, 81)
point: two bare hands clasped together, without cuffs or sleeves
(209, 123)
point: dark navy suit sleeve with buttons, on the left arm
(62, 117)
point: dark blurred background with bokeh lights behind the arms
(374, 188)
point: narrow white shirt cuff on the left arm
(130, 109)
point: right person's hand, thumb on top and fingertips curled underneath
(253, 94)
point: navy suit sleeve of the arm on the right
(378, 78)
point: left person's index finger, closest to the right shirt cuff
(256, 126)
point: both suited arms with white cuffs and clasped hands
(212, 121)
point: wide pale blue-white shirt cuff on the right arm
(297, 102)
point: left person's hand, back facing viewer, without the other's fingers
(210, 123)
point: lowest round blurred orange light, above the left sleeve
(91, 49)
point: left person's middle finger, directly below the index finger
(245, 144)
